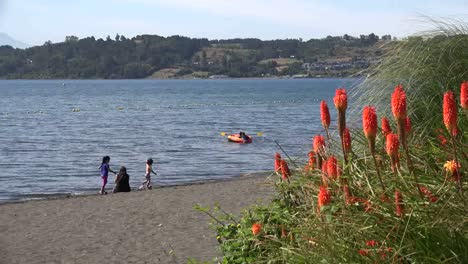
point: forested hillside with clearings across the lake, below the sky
(181, 57)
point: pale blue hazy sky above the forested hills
(37, 21)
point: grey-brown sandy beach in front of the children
(155, 226)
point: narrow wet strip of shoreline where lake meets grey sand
(57, 196)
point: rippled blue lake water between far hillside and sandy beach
(46, 148)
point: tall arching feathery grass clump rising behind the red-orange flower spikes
(427, 64)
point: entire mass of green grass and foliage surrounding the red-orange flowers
(373, 225)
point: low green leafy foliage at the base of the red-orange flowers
(294, 232)
